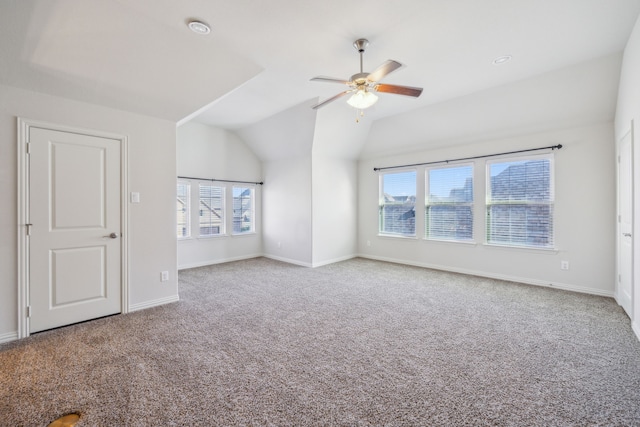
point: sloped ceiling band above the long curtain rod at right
(572, 96)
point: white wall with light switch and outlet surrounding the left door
(152, 241)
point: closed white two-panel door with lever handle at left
(75, 233)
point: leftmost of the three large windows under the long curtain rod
(397, 215)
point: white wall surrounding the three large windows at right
(584, 215)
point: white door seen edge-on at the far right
(624, 291)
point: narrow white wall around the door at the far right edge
(628, 110)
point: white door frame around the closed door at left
(24, 125)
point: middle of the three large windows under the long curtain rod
(449, 203)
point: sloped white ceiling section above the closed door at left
(113, 54)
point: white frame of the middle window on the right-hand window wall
(428, 203)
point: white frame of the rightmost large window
(550, 203)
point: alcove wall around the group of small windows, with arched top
(208, 152)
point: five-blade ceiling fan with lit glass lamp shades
(363, 85)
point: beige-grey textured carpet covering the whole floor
(356, 343)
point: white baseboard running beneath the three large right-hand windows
(524, 280)
